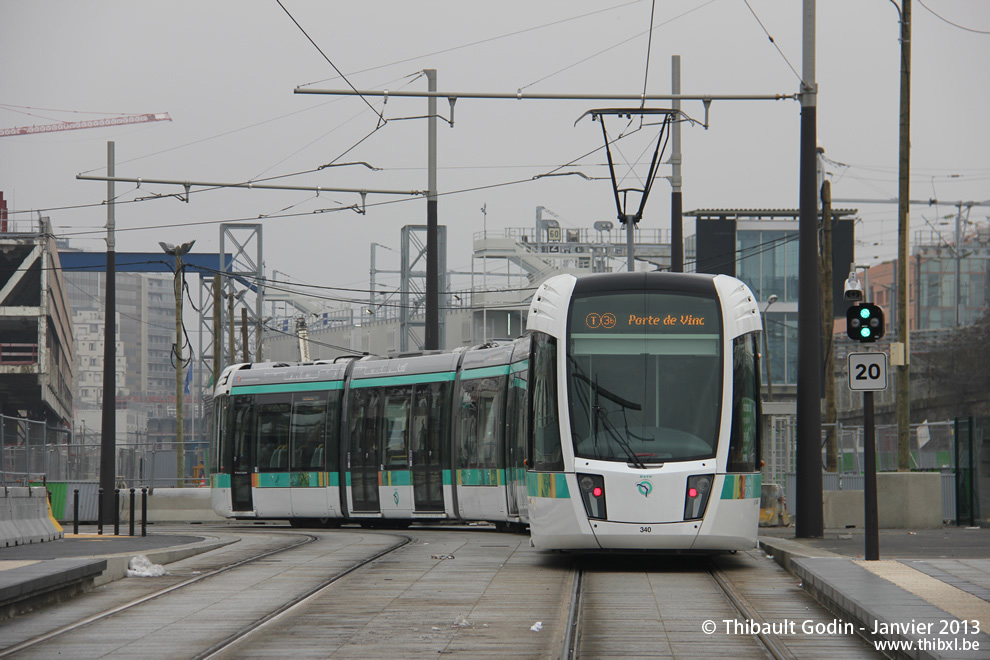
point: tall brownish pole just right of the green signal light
(901, 353)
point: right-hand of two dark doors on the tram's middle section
(427, 468)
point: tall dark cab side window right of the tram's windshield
(744, 441)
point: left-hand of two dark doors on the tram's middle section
(363, 455)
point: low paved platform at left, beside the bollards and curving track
(36, 573)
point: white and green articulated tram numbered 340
(627, 418)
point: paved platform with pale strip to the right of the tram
(928, 596)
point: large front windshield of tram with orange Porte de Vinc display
(644, 377)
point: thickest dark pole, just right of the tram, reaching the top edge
(809, 523)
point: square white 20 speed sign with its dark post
(868, 373)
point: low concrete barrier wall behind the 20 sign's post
(905, 500)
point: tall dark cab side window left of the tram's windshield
(546, 451)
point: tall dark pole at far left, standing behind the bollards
(108, 432)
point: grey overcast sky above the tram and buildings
(225, 72)
